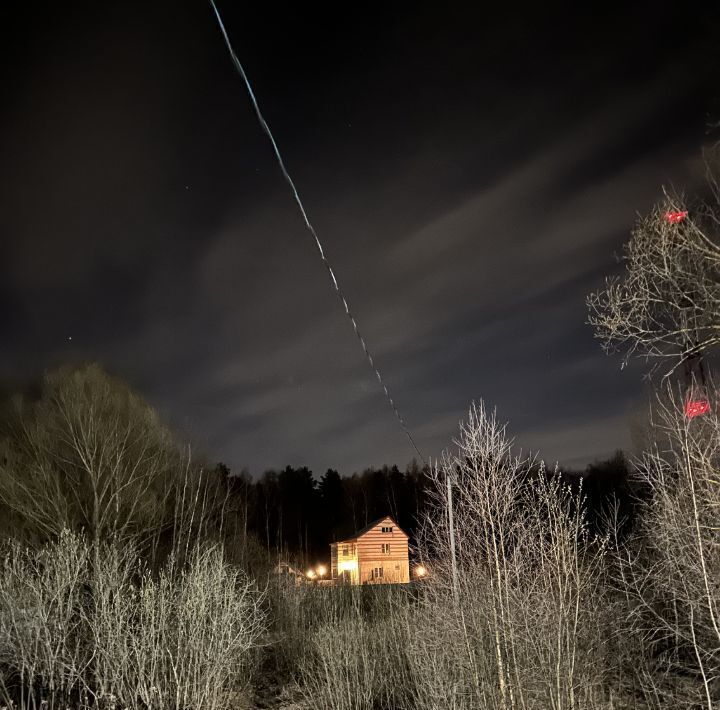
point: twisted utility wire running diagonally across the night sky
(311, 229)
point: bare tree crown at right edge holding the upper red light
(666, 305)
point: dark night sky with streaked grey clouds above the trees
(472, 173)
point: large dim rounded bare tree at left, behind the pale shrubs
(90, 454)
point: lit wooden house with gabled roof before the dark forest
(377, 554)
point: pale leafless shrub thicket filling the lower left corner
(92, 628)
